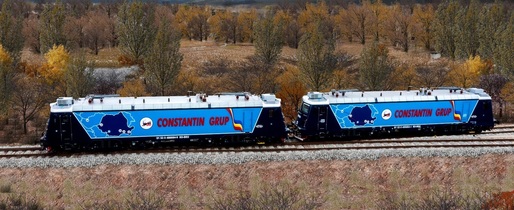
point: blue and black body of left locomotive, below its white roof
(124, 129)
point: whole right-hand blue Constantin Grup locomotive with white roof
(352, 113)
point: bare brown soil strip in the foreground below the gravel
(357, 184)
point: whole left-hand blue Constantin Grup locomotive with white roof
(106, 121)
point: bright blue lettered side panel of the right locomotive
(403, 114)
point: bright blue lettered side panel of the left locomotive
(168, 123)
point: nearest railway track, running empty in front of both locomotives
(291, 147)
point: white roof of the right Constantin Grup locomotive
(355, 96)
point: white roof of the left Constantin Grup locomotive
(109, 103)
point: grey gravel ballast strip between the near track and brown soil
(242, 157)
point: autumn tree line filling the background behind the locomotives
(475, 39)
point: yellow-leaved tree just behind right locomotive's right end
(467, 74)
